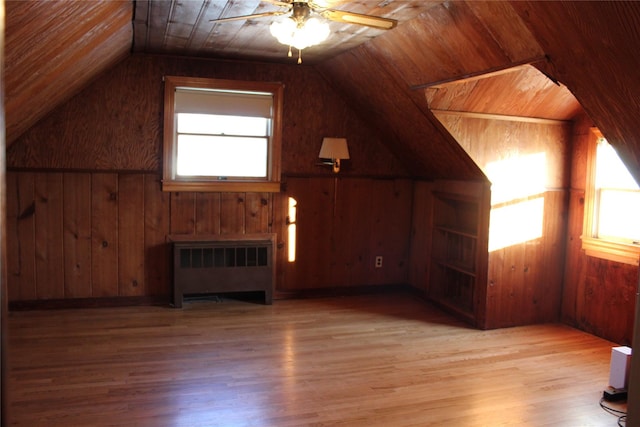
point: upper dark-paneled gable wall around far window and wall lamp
(116, 123)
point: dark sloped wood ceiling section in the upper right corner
(592, 49)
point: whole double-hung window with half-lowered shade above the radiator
(221, 135)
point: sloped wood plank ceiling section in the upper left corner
(53, 49)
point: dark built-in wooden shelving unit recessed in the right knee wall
(458, 267)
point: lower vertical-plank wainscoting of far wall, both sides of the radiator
(97, 235)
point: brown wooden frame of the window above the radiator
(172, 182)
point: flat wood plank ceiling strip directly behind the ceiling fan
(185, 28)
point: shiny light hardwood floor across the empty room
(374, 360)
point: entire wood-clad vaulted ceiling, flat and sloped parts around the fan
(395, 77)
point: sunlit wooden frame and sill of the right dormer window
(593, 245)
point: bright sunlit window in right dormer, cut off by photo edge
(612, 205)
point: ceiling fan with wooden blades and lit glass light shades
(303, 29)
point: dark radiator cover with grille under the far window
(223, 265)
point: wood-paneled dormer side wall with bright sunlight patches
(524, 279)
